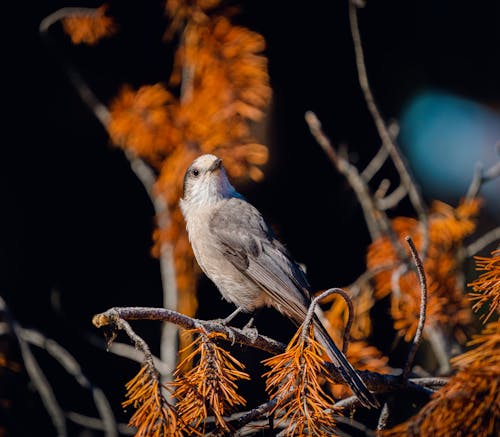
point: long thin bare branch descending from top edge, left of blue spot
(387, 141)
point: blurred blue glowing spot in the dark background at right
(444, 136)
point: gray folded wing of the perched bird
(249, 244)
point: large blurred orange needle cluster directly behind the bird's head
(223, 86)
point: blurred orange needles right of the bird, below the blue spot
(446, 304)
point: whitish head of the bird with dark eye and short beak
(206, 182)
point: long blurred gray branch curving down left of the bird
(144, 173)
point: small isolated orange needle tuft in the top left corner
(89, 28)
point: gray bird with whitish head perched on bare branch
(237, 250)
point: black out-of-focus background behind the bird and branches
(75, 222)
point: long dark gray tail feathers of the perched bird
(345, 368)
